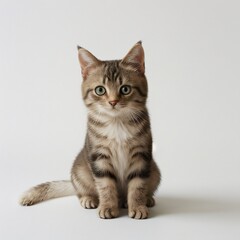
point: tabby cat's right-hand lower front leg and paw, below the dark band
(137, 198)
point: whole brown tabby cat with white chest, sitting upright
(115, 167)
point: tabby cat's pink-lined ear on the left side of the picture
(87, 61)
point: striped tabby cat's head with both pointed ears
(114, 87)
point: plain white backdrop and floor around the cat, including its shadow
(192, 64)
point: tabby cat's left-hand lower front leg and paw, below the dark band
(108, 197)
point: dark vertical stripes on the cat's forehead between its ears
(112, 72)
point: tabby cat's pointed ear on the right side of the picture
(134, 60)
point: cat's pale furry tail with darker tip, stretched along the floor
(46, 191)
